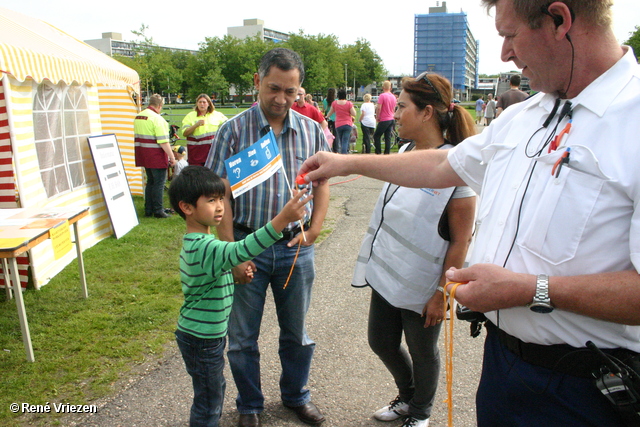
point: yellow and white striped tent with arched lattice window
(51, 85)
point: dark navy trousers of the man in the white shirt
(514, 393)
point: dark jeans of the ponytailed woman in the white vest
(415, 371)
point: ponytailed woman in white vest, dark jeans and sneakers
(414, 236)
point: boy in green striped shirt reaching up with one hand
(197, 195)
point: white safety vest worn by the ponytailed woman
(402, 254)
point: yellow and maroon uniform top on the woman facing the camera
(199, 142)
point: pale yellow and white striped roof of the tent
(32, 48)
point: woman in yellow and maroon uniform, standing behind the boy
(200, 127)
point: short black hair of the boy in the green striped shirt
(191, 183)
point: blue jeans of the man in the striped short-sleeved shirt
(295, 346)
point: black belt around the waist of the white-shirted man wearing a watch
(562, 358)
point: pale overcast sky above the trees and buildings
(185, 24)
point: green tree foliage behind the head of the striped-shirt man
(224, 62)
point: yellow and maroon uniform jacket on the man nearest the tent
(150, 130)
